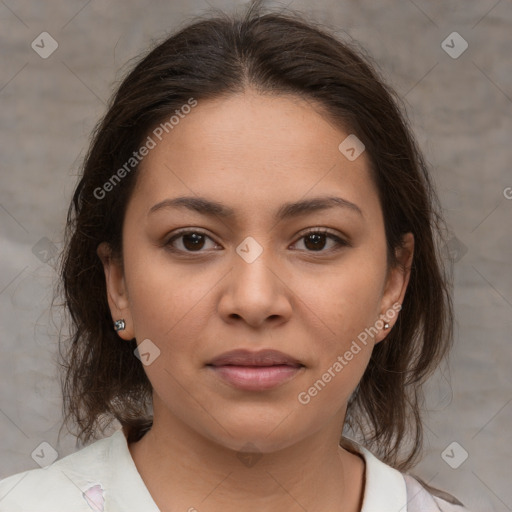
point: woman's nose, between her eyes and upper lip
(255, 291)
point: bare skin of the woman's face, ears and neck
(252, 153)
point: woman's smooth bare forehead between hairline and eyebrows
(251, 150)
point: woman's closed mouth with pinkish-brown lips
(255, 371)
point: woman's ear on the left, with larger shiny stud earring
(116, 290)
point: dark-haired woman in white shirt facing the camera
(251, 269)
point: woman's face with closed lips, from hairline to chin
(252, 272)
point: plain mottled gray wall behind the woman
(460, 109)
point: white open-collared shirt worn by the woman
(103, 477)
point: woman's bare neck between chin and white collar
(183, 470)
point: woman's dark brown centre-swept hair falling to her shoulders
(274, 53)
